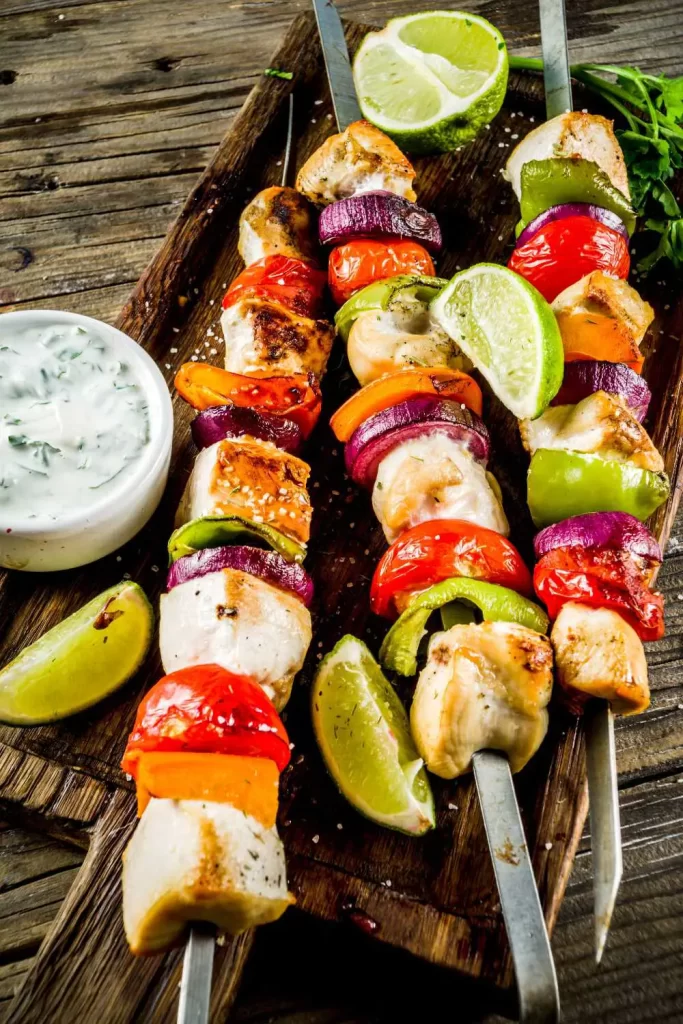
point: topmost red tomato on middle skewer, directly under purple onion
(357, 264)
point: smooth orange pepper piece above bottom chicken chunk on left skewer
(248, 784)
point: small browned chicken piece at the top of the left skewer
(279, 221)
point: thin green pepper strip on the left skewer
(217, 531)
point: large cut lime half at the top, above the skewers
(431, 81)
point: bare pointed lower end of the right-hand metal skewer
(606, 825)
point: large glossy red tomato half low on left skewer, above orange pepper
(207, 710)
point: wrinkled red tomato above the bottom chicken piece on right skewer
(602, 579)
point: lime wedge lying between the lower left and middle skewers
(365, 739)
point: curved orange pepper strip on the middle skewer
(390, 391)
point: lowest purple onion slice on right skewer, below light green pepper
(617, 531)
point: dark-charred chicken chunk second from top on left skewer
(267, 338)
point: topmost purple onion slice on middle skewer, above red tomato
(374, 214)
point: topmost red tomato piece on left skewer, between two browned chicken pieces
(295, 284)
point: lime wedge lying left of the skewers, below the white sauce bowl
(81, 661)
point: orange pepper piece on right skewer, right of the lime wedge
(596, 336)
